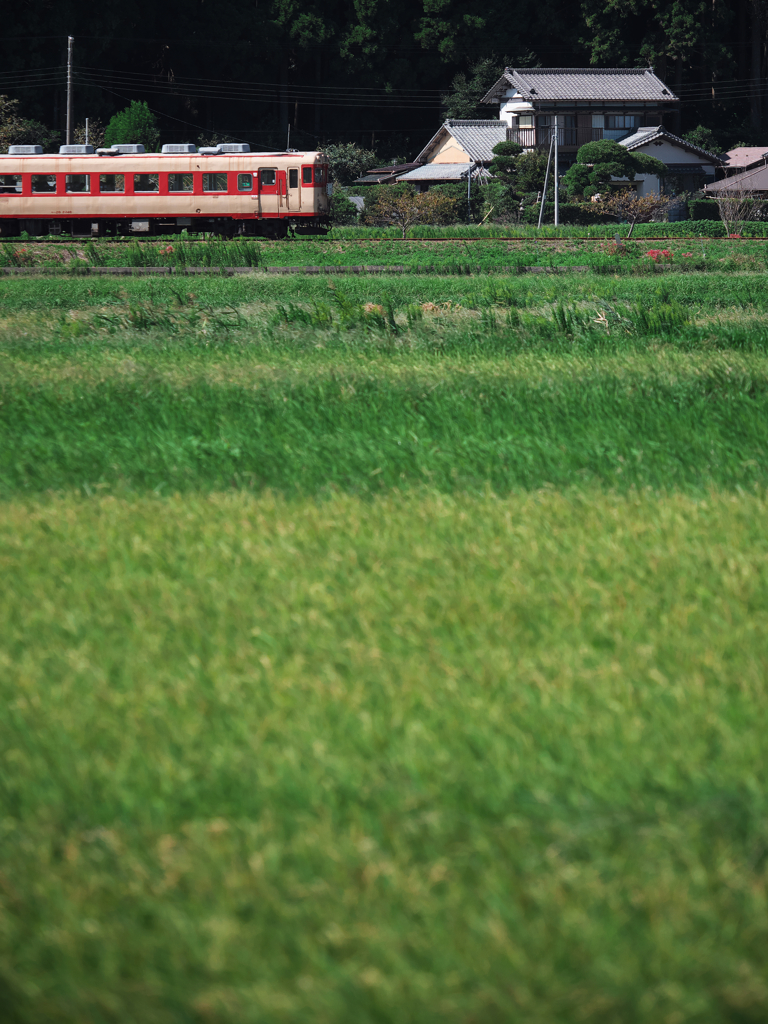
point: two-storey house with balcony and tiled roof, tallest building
(590, 104)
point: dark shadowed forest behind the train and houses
(382, 74)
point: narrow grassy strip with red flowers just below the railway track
(686, 247)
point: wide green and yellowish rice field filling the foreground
(385, 650)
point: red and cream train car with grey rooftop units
(124, 191)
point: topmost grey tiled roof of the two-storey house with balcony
(595, 84)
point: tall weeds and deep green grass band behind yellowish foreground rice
(367, 397)
